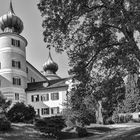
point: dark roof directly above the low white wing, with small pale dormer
(44, 85)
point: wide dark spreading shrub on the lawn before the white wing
(51, 125)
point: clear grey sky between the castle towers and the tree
(36, 51)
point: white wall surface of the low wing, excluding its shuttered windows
(50, 103)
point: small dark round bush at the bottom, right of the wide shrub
(81, 131)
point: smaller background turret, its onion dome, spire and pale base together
(50, 68)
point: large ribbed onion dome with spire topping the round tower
(10, 22)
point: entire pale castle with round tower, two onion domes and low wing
(22, 82)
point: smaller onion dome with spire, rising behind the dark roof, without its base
(50, 66)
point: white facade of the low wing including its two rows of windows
(46, 105)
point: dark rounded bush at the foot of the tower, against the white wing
(19, 112)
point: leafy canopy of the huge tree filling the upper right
(96, 34)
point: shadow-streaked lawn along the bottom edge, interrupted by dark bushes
(130, 131)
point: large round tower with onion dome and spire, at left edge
(13, 77)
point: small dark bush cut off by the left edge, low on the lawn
(4, 125)
